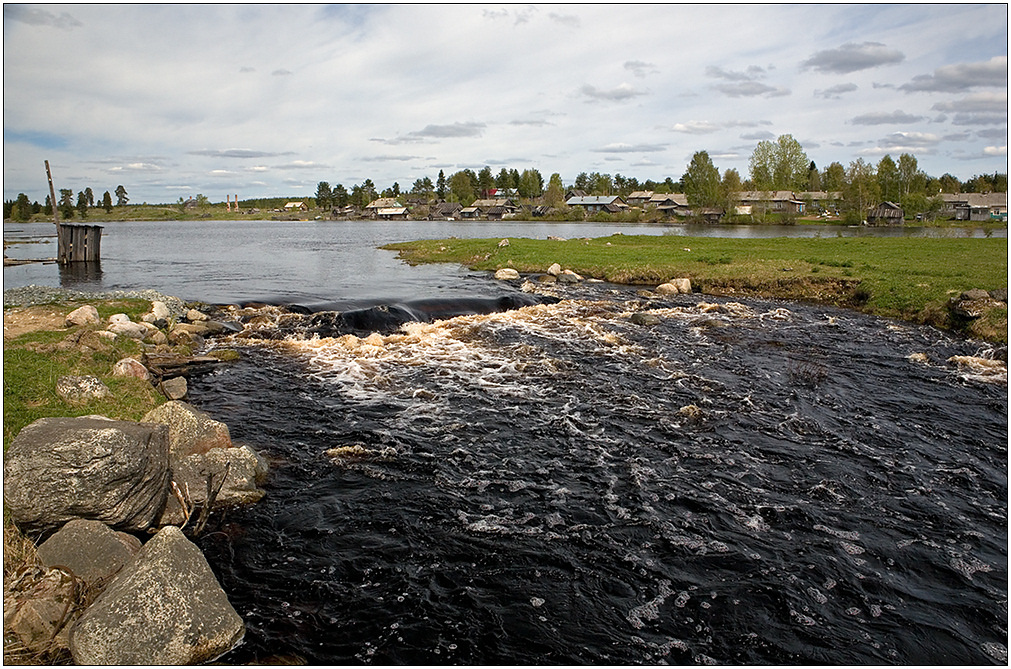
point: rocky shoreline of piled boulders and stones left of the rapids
(118, 580)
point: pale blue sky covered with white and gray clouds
(261, 101)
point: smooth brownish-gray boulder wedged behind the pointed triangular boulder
(90, 549)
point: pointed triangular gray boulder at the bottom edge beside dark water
(165, 608)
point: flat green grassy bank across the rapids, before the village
(910, 278)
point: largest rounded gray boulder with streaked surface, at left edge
(60, 469)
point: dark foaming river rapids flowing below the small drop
(744, 483)
